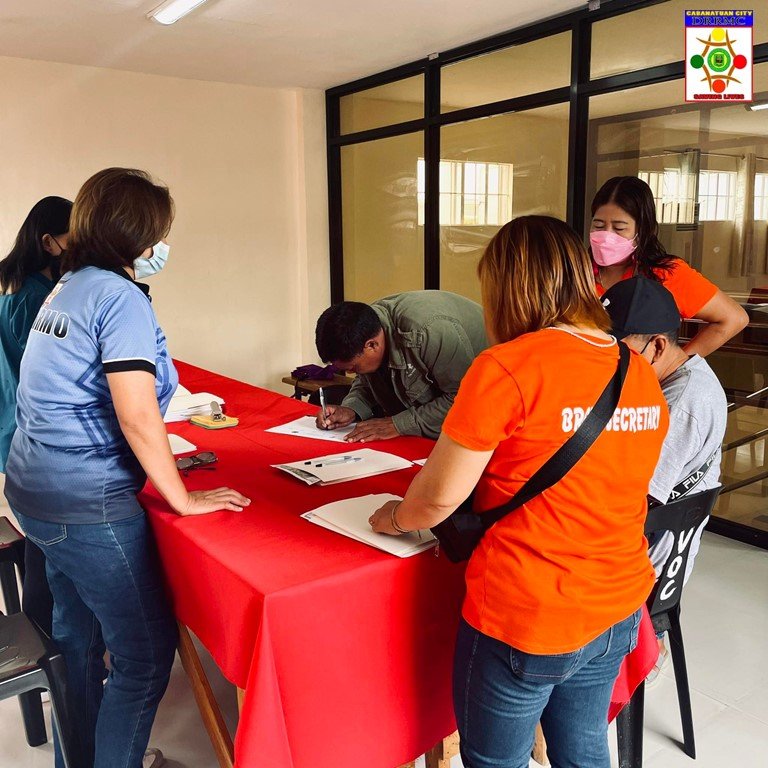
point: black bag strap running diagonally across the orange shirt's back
(569, 453)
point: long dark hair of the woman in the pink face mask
(635, 197)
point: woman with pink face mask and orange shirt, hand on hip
(624, 242)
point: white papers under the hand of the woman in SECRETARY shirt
(349, 517)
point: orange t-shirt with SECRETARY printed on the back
(557, 572)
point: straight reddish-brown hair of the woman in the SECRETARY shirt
(536, 273)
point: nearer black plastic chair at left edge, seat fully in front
(30, 661)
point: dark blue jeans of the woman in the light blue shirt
(107, 590)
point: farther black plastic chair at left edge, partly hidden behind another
(12, 554)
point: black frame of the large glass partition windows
(576, 95)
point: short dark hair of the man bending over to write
(343, 329)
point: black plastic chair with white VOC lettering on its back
(683, 518)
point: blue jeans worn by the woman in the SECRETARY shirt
(500, 694)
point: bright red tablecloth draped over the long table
(345, 652)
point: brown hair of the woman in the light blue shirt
(118, 214)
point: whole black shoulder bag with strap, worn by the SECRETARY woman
(460, 533)
